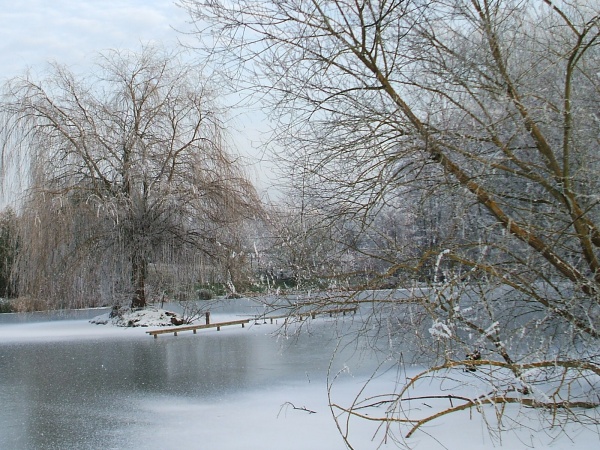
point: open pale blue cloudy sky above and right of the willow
(72, 32)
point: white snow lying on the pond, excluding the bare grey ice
(283, 415)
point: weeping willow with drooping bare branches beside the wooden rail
(127, 171)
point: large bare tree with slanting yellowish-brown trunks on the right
(486, 110)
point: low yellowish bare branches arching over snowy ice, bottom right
(553, 388)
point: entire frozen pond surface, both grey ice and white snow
(67, 384)
